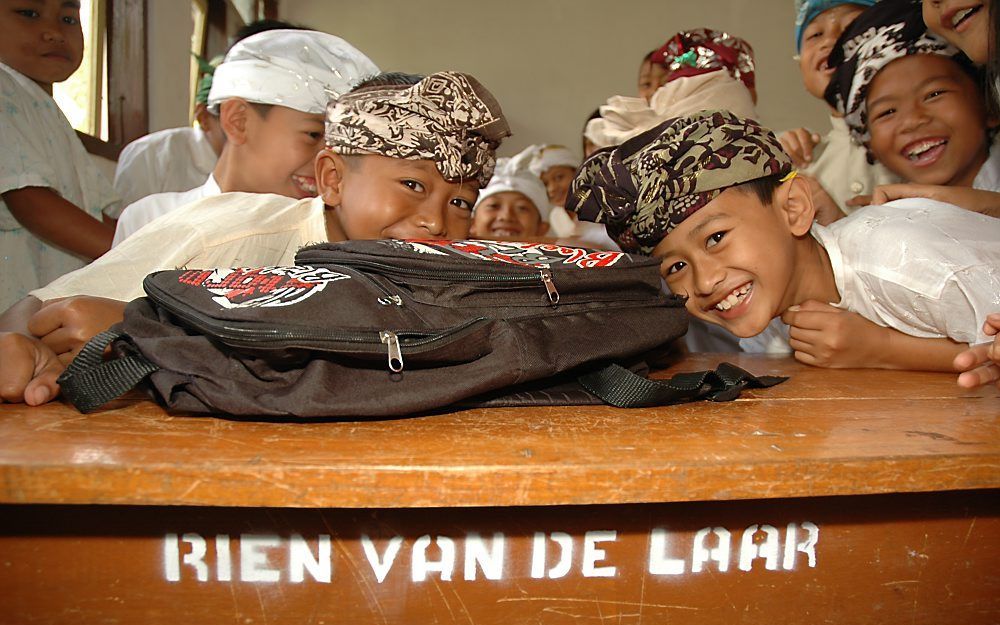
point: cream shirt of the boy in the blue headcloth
(842, 167)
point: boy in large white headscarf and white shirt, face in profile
(270, 94)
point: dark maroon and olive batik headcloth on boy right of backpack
(644, 188)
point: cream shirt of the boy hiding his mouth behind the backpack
(227, 230)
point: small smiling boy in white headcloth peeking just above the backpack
(514, 205)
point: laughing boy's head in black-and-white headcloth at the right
(915, 102)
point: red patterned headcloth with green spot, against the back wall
(703, 50)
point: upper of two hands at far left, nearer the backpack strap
(65, 325)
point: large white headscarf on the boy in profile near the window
(300, 69)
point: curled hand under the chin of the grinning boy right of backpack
(825, 336)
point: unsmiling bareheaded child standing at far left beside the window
(54, 198)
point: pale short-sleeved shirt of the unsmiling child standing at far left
(39, 148)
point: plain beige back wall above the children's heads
(551, 62)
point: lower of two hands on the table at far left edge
(28, 370)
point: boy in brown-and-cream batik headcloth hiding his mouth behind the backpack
(401, 162)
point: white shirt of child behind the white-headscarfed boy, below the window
(176, 159)
